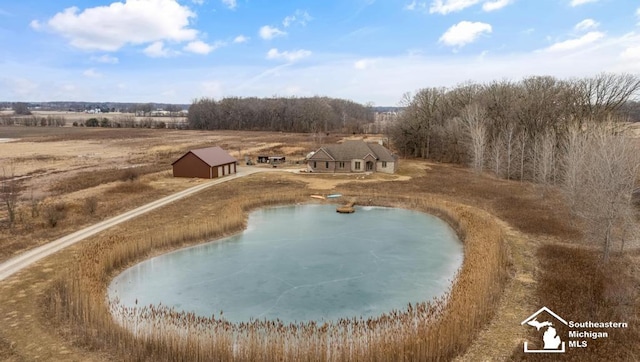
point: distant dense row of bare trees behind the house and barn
(315, 114)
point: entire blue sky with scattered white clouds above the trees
(369, 51)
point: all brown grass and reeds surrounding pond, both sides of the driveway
(522, 251)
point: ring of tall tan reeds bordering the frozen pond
(431, 330)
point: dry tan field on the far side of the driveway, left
(62, 167)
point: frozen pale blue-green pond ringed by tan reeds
(302, 263)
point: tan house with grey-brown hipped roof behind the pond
(353, 156)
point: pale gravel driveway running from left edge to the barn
(24, 260)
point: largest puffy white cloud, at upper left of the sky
(109, 28)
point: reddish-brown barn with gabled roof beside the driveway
(210, 162)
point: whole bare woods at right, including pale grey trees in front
(567, 133)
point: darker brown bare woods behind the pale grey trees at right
(514, 119)
